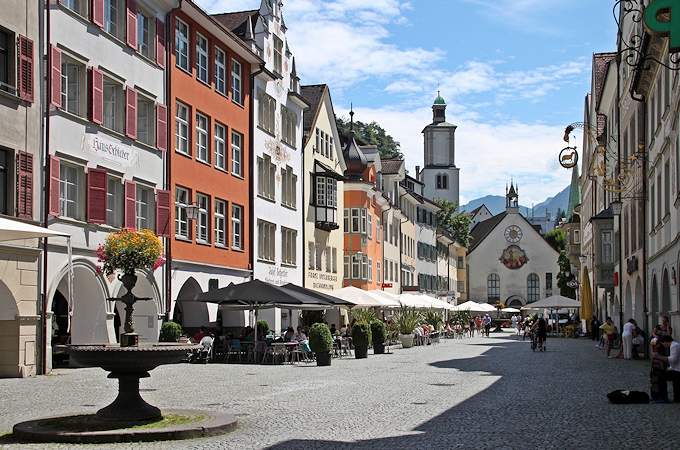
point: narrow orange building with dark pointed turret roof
(364, 204)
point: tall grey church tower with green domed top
(440, 174)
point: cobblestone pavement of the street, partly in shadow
(473, 393)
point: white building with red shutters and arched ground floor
(106, 138)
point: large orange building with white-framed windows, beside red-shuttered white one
(209, 80)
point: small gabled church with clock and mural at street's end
(509, 261)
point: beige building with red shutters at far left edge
(20, 147)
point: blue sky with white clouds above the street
(514, 74)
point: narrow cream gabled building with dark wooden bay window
(324, 167)
